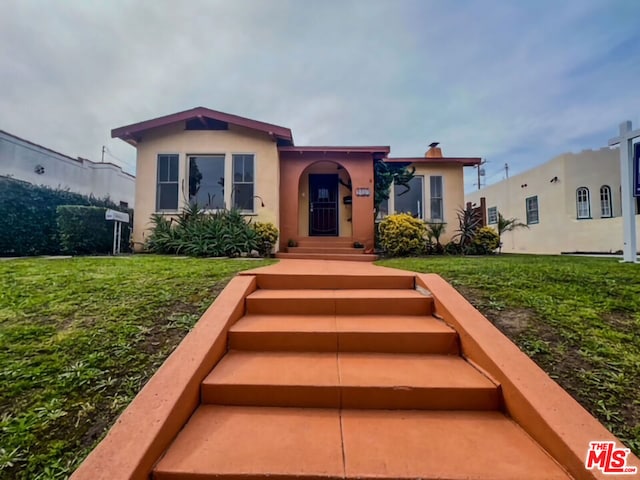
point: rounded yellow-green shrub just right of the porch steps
(402, 234)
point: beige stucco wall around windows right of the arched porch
(453, 194)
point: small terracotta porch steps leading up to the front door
(326, 248)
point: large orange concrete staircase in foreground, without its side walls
(338, 376)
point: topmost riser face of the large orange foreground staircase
(331, 282)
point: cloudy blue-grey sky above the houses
(512, 81)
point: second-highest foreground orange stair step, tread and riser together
(339, 302)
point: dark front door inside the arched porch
(323, 205)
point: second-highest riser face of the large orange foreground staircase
(340, 306)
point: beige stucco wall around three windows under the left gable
(174, 139)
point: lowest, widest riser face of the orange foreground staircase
(352, 397)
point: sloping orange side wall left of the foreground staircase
(167, 401)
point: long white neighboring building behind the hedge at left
(33, 163)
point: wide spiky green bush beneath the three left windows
(197, 233)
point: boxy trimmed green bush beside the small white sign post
(84, 230)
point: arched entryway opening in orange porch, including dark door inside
(325, 201)
